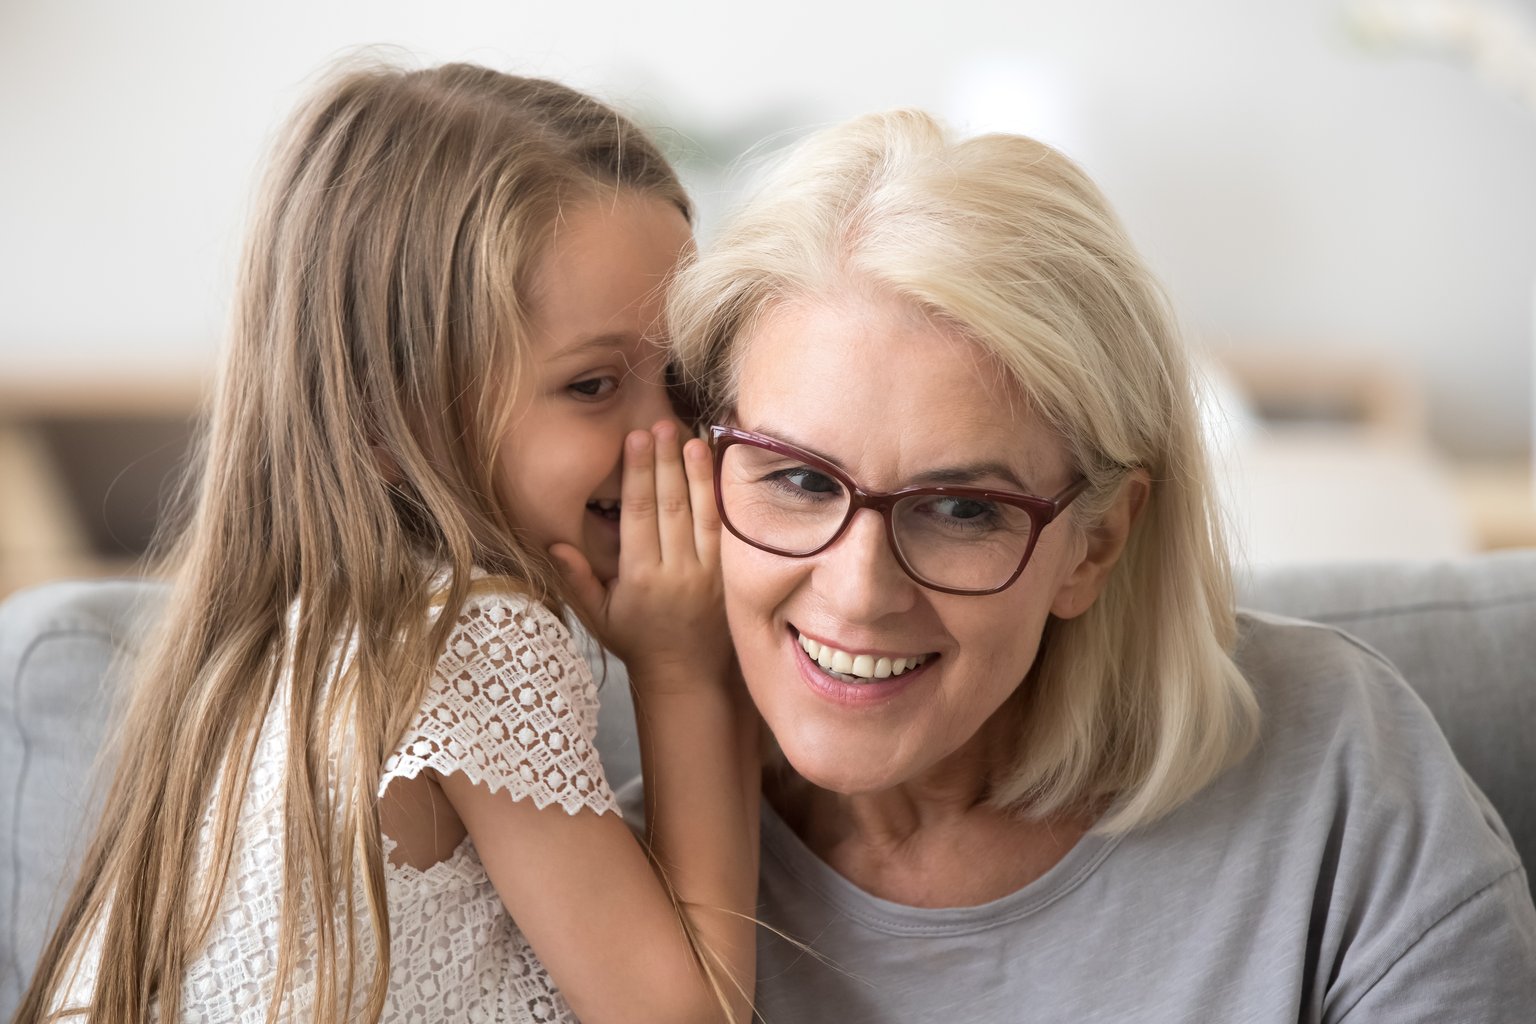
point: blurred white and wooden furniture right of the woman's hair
(1323, 455)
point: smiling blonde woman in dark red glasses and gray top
(1034, 765)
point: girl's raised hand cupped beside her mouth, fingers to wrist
(664, 615)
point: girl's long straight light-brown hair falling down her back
(382, 320)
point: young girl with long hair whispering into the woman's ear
(357, 776)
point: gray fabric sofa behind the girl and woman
(1463, 633)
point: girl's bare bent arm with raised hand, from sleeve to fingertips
(583, 891)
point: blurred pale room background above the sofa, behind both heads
(1340, 197)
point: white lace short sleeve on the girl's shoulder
(512, 705)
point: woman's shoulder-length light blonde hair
(1137, 702)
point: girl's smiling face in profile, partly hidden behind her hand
(597, 371)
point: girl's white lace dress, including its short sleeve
(512, 704)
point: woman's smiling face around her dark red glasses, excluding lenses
(895, 401)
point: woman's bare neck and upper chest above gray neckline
(927, 844)
